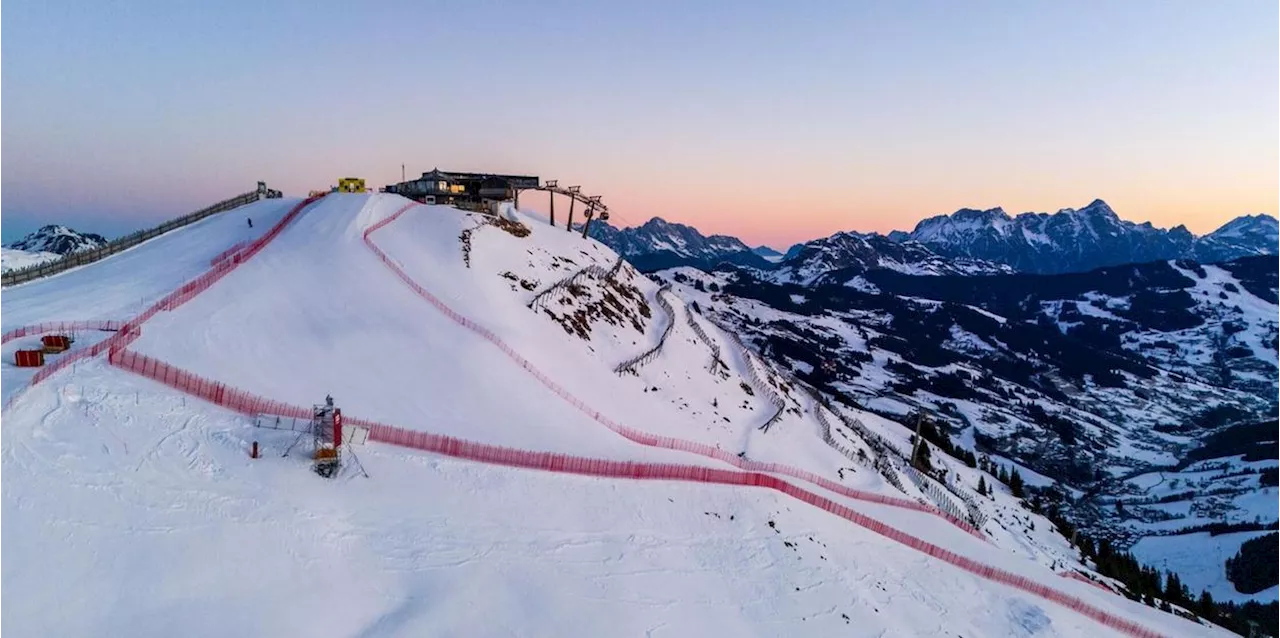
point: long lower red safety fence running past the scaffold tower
(250, 404)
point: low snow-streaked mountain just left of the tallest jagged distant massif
(844, 256)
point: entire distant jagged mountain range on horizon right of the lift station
(964, 243)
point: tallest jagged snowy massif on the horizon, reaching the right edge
(1078, 240)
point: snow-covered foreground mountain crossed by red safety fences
(569, 431)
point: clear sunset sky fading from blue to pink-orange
(776, 122)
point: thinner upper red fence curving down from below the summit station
(638, 436)
